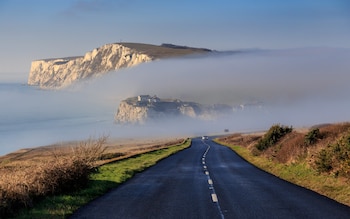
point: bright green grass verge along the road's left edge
(107, 177)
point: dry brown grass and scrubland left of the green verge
(29, 174)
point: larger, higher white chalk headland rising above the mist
(61, 72)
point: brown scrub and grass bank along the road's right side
(318, 158)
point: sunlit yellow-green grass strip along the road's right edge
(299, 173)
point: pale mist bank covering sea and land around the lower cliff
(298, 87)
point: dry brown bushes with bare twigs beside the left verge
(21, 186)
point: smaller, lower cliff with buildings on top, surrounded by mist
(146, 108)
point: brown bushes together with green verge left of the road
(57, 186)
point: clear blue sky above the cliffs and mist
(39, 29)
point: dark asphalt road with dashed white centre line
(210, 181)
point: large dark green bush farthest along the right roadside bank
(274, 134)
